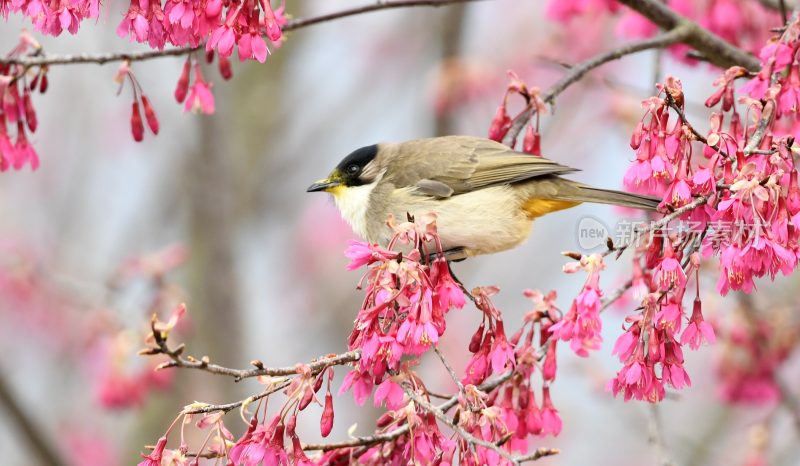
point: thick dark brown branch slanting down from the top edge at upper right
(717, 50)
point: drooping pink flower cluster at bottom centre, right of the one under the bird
(511, 410)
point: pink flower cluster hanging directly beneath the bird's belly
(406, 300)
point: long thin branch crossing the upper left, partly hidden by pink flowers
(43, 59)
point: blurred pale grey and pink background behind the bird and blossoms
(263, 275)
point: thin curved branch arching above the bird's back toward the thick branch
(578, 71)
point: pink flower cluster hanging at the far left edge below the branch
(17, 114)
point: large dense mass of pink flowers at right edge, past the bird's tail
(745, 177)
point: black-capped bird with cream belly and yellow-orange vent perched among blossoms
(485, 195)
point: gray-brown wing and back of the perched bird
(451, 165)
